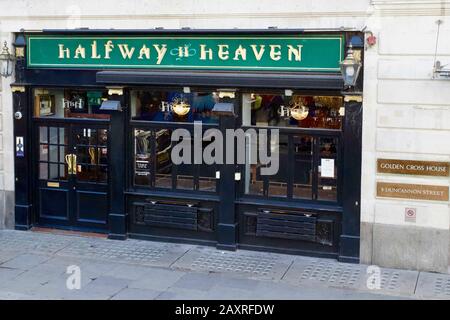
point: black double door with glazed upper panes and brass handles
(72, 175)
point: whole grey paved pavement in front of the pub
(42, 265)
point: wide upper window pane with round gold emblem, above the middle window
(173, 106)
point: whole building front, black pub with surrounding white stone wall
(167, 133)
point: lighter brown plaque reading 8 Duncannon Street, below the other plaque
(412, 191)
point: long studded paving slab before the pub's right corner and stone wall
(313, 272)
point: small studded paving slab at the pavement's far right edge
(433, 286)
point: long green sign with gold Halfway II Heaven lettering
(273, 53)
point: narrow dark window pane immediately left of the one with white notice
(303, 160)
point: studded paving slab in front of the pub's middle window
(246, 263)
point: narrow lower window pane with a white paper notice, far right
(327, 187)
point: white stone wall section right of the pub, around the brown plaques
(406, 116)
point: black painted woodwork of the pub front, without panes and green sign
(228, 218)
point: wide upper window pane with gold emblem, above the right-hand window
(292, 111)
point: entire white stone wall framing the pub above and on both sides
(406, 113)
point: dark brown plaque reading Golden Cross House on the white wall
(413, 167)
